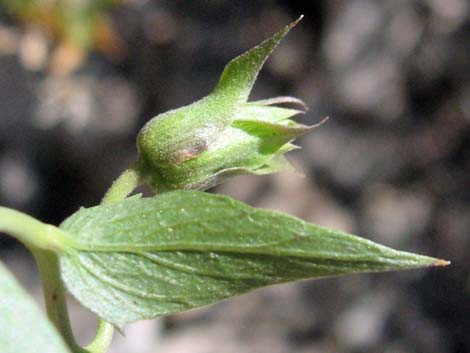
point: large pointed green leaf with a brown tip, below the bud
(143, 258)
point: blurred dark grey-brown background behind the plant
(78, 78)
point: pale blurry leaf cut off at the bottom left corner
(23, 327)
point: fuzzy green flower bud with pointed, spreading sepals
(221, 135)
